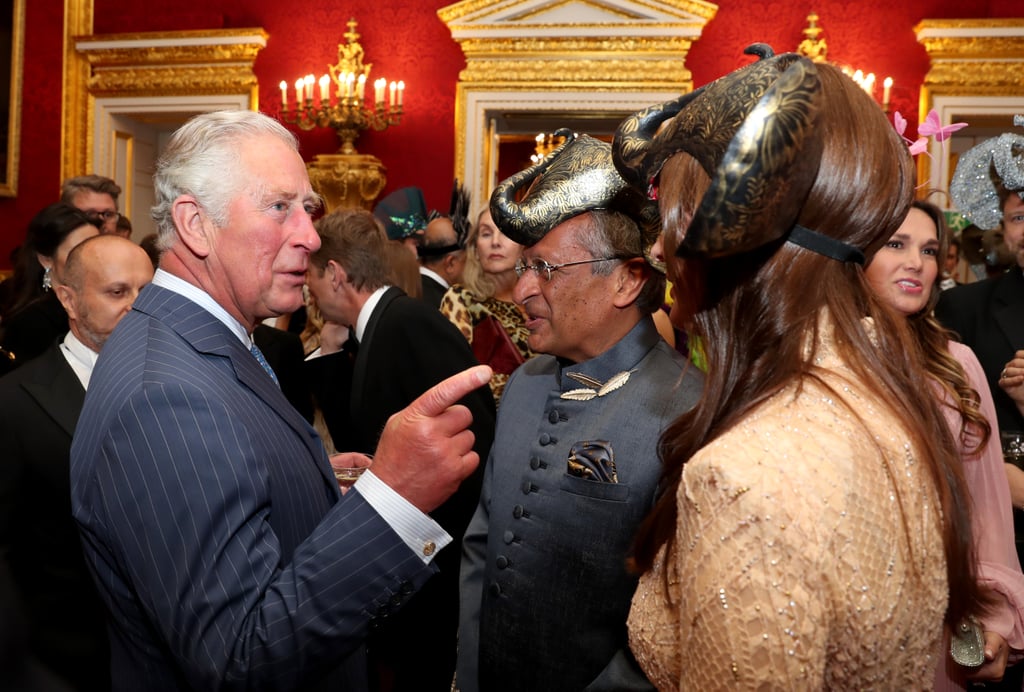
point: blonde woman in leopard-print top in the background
(483, 308)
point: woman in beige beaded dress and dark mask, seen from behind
(815, 522)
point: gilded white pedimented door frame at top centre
(517, 62)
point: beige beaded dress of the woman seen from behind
(808, 554)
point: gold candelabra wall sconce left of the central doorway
(346, 180)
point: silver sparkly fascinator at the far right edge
(997, 161)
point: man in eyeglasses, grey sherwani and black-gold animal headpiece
(574, 468)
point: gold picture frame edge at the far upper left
(12, 60)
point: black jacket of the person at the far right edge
(989, 317)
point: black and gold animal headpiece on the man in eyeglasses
(577, 178)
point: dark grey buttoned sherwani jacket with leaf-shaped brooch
(545, 591)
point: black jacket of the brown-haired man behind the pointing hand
(407, 349)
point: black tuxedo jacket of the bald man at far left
(40, 404)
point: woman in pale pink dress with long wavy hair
(904, 274)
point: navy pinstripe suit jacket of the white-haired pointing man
(211, 520)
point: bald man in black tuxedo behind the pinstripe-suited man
(64, 629)
